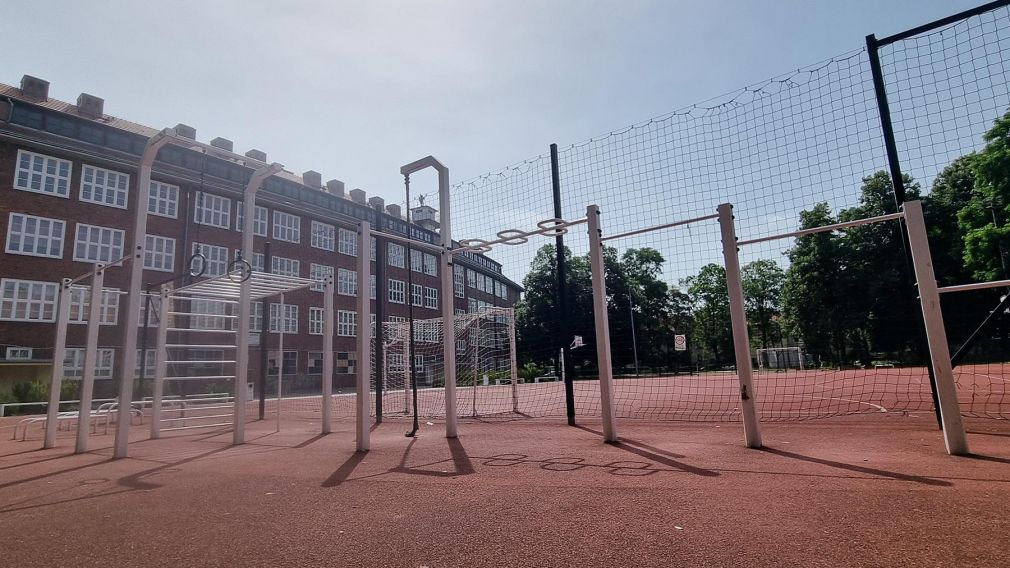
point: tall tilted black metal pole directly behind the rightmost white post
(898, 185)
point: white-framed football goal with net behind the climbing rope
(487, 380)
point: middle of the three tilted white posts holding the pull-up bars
(739, 320)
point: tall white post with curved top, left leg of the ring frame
(136, 298)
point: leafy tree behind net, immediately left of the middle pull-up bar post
(711, 301)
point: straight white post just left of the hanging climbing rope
(364, 367)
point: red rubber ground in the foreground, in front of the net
(871, 491)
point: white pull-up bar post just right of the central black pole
(602, 324)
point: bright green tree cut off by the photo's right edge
(985, 221)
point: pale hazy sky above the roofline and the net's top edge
(356, 89)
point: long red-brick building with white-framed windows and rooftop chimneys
(68, 187)
